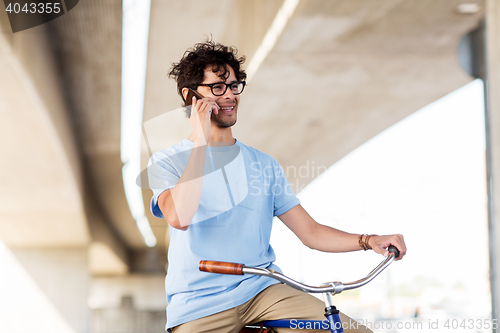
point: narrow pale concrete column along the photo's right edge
(493, 144)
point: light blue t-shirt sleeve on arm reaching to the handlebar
(284, 197)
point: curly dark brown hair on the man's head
(190, 71)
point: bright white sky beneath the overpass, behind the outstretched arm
(424, 177)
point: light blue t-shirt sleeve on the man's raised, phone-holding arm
(162, 176)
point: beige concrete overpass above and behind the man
(339, 73)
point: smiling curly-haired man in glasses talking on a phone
(219, 197)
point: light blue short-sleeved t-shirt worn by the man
(243, 189)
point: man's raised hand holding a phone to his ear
(200, 118)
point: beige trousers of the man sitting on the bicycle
(278, 301)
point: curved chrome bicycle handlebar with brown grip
(332, 287)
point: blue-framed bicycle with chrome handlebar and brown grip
(329, 289)
